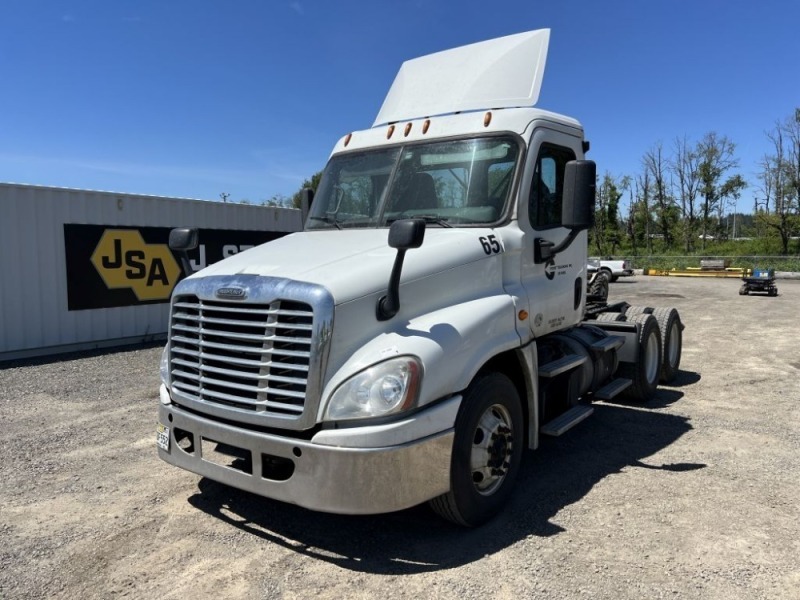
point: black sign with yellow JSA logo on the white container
(122, 266)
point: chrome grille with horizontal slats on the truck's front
(252, 357)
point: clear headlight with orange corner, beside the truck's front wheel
(387, 388)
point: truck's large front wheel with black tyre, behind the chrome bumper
(487, 450)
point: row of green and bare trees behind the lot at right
(684, 197)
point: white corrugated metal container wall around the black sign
(34, 316)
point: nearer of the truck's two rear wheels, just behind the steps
(645, 372)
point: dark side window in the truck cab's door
(544, 208)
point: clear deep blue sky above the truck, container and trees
(194, 98)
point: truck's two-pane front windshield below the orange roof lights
(457, 182)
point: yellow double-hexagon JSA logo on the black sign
(124, 260)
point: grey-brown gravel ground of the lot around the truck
(694, 495)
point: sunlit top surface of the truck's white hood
(352, 263)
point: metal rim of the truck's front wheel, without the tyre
(492, 447)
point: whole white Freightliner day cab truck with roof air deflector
(430, 322)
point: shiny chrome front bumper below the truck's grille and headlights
(324, 477)
